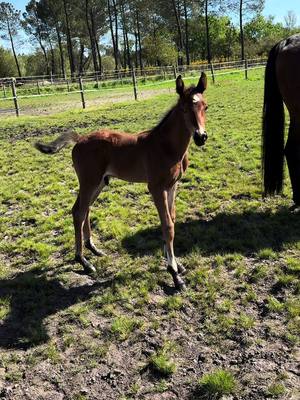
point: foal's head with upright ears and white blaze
(193, 105)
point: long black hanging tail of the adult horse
(273, 128)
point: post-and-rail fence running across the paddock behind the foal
(129, 77)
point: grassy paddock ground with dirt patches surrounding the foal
(126, 334)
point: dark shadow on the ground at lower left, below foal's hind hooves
(33, 298)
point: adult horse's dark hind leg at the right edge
(292, 152)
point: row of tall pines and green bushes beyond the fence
(73, 36)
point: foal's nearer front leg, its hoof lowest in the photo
(160, 198)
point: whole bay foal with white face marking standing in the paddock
(157, 157)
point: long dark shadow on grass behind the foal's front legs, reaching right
(244, 233)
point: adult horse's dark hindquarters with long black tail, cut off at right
(282, 84)
